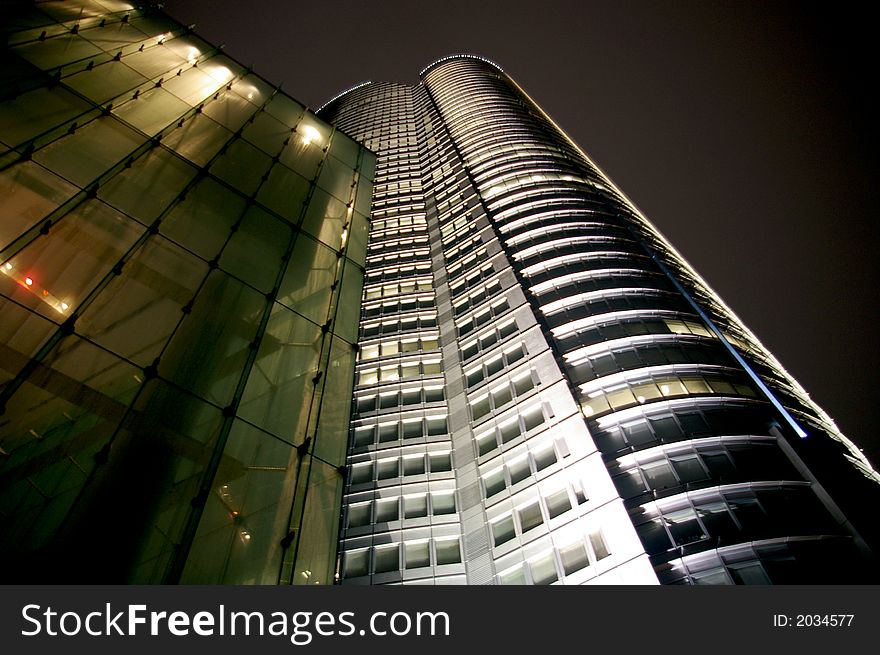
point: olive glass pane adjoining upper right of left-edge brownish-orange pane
(83, 156)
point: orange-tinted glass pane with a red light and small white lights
(66, 264)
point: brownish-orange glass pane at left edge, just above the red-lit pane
(28, 193)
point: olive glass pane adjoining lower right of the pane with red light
(137, 312)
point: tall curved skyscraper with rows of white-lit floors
(547, 392)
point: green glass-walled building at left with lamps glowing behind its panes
(181, 247)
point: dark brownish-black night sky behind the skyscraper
(742, 130)
